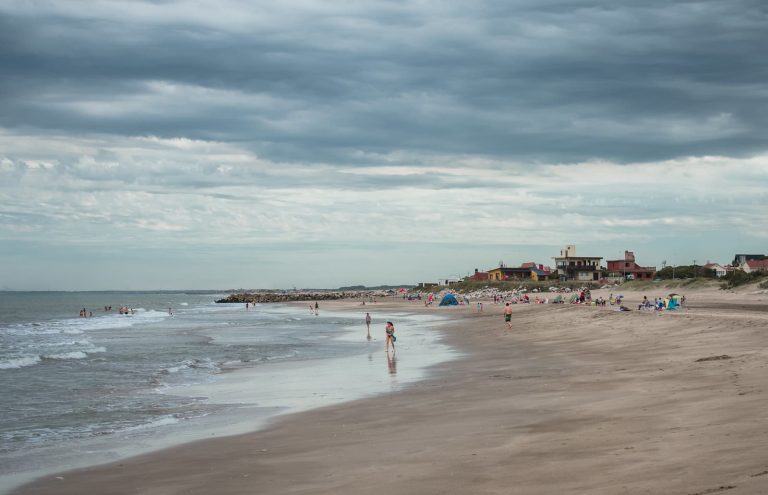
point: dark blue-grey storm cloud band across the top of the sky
(550, 81)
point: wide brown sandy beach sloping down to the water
(572, 399)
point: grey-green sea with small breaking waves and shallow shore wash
(79, 391)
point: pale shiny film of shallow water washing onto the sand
(248, 412)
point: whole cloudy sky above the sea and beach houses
(174, 144)
